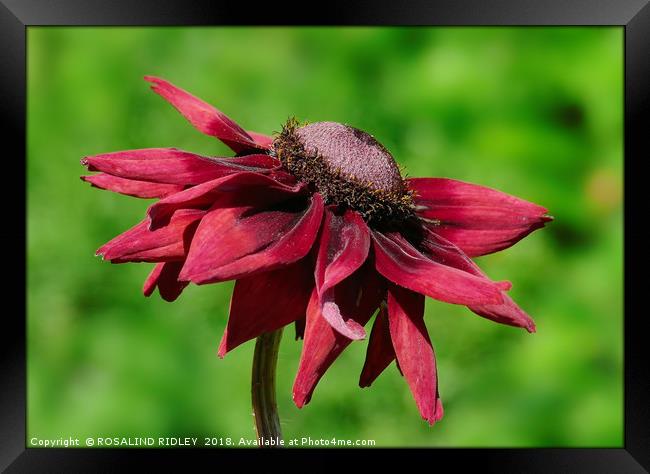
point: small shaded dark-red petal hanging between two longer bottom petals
(380, 351)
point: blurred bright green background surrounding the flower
(536, 112)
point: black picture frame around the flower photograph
(17, 15)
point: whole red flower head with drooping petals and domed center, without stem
(318, 228)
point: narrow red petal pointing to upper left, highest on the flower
(203, 116)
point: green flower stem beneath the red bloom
(265, 409)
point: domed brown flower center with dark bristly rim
(348, 167)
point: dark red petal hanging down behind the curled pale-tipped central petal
(358, 295)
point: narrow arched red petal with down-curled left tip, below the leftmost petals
(239, 187)
